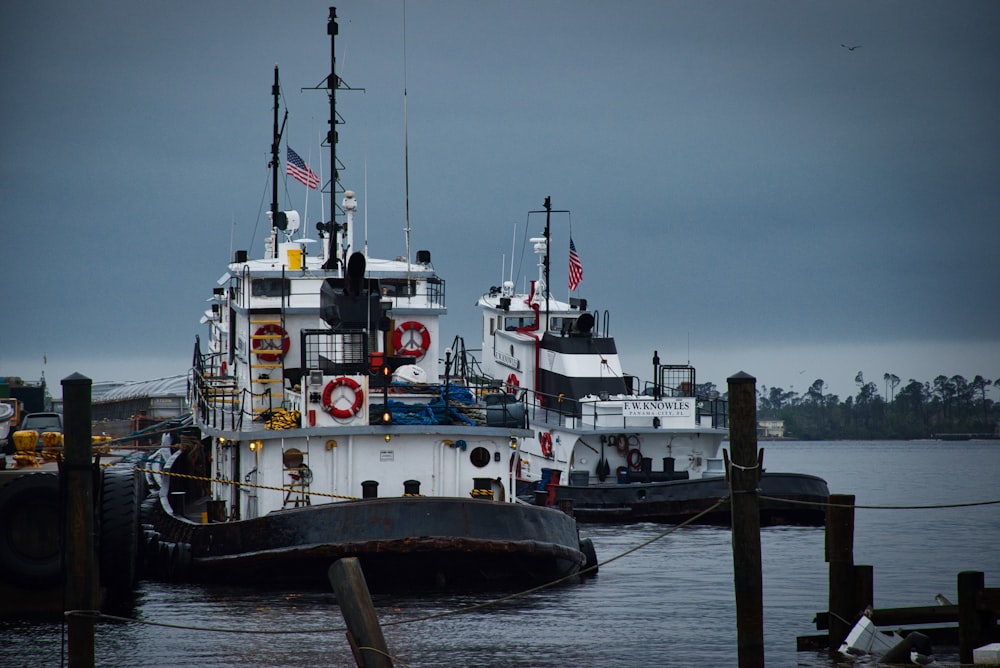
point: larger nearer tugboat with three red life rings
(330, 421)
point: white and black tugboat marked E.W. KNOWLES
(611, 447)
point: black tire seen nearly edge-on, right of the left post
(119, 537)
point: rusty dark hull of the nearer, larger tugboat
(402, 543)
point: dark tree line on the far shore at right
(944, 406)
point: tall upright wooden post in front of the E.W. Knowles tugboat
(744, 478)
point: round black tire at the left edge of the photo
(30, 545)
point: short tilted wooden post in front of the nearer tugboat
(363, 630)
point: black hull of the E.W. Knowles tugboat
(679, 500)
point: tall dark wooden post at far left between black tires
(77, 478)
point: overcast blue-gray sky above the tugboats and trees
(746, 193)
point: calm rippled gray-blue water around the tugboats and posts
(668, 604)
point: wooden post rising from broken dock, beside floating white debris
(840, 556)
